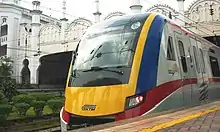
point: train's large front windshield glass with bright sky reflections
(106, 48)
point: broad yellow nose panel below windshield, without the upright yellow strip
(108, 99)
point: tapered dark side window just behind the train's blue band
(170, 49)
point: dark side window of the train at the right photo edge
(214, 66)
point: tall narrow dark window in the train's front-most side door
(182, 56)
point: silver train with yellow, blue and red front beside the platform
(138, 64)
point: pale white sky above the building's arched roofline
(85, 8)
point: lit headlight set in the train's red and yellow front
(134, 101)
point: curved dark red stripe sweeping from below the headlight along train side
(155, 96)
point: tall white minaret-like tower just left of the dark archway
(35, 25)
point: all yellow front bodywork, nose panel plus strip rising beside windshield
(108, 99)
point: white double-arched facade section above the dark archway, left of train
(51, 39)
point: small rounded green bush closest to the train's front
(55, 105)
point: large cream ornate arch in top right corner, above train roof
(201, 21)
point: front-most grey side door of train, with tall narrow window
(182, 46)
